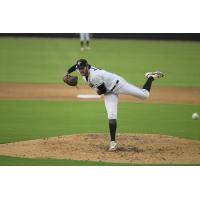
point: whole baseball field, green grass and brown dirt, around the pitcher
(42, 122)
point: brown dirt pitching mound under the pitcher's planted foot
(133, 148)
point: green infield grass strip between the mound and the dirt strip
(25, 120)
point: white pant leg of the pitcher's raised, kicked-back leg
(130, 89)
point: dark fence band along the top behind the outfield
(148, 36)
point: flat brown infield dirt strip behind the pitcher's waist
(61, 92)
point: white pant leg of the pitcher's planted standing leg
(111, 103)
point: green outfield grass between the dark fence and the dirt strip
(33, 60)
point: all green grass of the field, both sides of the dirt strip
(25, 60)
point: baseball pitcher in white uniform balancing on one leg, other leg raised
(110, 85)
